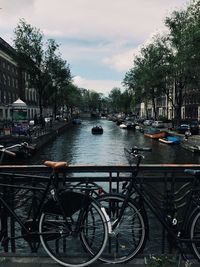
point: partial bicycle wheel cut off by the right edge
(195, 233)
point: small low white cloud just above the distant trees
(102, 86)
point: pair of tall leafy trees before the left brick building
(49, 72)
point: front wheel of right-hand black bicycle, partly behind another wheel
(131, 235)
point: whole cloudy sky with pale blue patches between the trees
(97, 38)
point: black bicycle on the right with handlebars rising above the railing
(130, 227)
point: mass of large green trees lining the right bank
(171, 61)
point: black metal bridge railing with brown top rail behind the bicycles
(163, 180)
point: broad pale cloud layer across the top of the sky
(108, 19)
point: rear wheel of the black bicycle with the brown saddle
(65, 245)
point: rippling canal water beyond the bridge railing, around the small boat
(78, 145)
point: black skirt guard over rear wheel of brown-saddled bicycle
(69, 201)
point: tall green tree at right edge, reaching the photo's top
(184, 36)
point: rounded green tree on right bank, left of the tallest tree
(147, 79)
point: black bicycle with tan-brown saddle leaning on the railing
(71, 226)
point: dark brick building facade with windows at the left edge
(14, 84)
